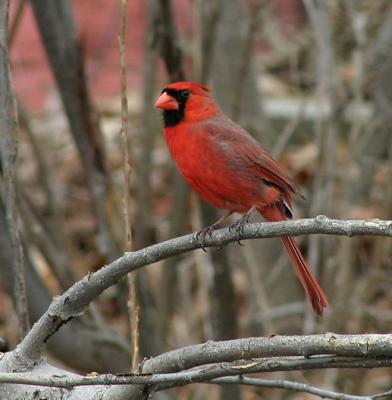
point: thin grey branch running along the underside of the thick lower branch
(210, 373)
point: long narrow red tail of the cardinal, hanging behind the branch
(313, 290)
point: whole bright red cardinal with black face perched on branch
(229, 169)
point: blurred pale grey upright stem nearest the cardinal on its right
(324, 182)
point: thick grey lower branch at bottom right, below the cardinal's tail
(277, 346)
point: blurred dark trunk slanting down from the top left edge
(63, 47)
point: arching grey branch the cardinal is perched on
(73, 302)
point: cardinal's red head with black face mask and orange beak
(185, 102)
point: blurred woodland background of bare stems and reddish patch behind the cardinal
(311, 80)
